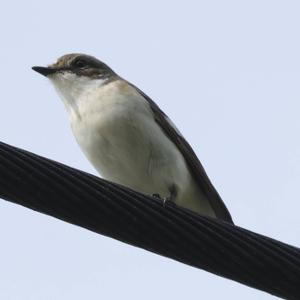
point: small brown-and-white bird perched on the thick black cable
(128, 138)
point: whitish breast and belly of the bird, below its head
(115, 127)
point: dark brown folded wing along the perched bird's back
(193, 162)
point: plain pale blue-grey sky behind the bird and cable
(226, 72)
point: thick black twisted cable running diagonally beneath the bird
(118, 212)
